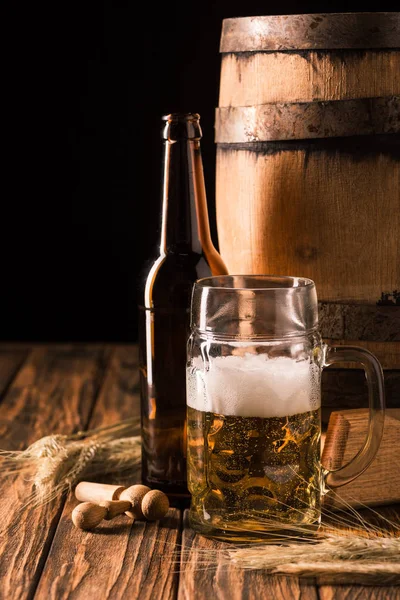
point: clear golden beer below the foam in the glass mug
(253, 473)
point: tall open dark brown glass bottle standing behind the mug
(185, 254)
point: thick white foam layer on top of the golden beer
(253, 386)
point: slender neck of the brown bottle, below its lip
(185, 226)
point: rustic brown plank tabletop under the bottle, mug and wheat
(47, 389)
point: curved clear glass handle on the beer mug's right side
(376, 394)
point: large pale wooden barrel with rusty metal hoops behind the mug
(308, 164)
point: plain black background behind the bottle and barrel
(84, 87)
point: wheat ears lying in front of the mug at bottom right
(346, 549)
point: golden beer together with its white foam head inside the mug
(251, 474)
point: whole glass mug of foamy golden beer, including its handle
(254, 364)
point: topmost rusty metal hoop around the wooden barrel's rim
(311, 32)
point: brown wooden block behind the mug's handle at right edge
(379, 484)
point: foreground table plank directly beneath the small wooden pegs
(119, 559)
